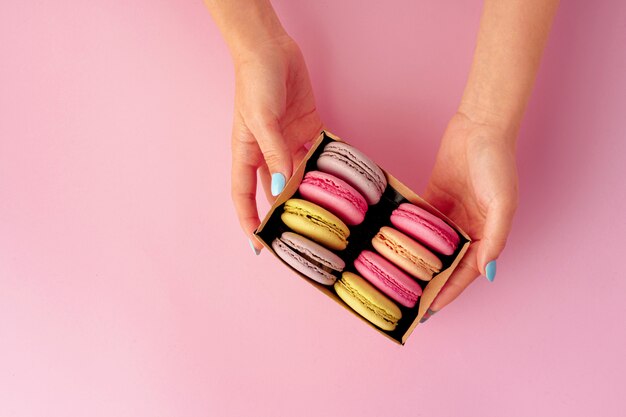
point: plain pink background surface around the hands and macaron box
(127, 289)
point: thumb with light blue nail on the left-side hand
(275, 151)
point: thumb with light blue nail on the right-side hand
(495, 232)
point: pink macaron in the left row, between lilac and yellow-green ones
(335, 195)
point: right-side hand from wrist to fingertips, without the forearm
(474, 182)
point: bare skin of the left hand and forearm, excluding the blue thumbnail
(275, 113)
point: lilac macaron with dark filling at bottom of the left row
(308, 257)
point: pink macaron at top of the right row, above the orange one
(426, 228)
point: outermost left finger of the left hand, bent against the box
(245, 158)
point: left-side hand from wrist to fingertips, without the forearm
(275, 116)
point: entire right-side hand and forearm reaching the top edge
(474, 180)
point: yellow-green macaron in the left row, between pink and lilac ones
(315, 222)
